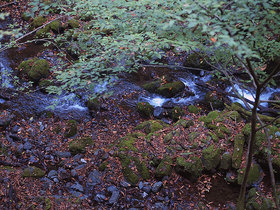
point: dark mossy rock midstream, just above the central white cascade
(171, 89)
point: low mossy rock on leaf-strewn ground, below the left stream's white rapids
(79, 145)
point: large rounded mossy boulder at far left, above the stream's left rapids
(39, 70)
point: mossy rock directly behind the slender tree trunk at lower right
(254, 177)
